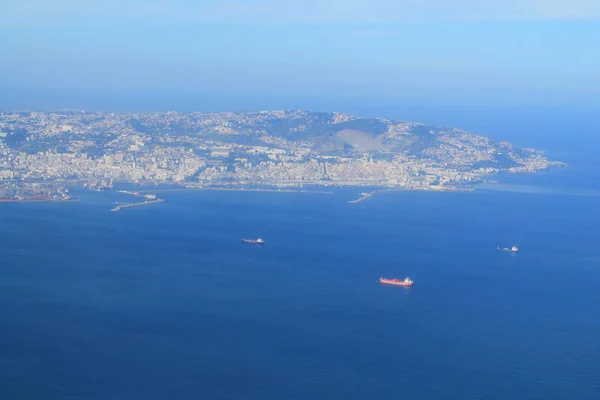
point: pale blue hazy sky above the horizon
(477, 51)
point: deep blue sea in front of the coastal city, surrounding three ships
(166, 302)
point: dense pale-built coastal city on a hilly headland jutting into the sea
(267, 148)
